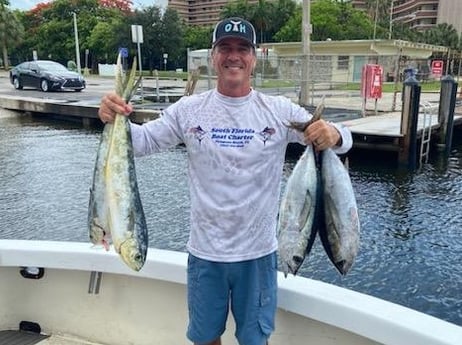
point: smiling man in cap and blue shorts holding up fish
(236, 139)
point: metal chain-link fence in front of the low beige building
(336, 75)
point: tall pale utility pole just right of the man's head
(306, 31)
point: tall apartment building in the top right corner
(423, 14)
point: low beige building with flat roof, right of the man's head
(342, 61)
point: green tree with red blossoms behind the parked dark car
(102, 28)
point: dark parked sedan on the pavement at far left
(45, 75)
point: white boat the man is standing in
(71, 293)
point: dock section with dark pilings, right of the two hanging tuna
(413, 131)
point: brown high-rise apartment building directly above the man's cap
(200, 12)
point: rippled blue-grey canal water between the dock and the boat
(411, 240)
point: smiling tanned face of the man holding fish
(233, 60)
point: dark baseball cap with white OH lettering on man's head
(234, 27)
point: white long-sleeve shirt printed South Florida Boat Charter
(236, 150)
